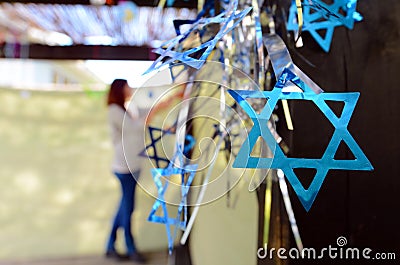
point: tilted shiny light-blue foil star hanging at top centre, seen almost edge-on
(204, 49)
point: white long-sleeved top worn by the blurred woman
(127, 134)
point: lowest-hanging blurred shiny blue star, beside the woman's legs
(158, 174)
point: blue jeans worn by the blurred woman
(123, 216)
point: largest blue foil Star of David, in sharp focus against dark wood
(280, 160)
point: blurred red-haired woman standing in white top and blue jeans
(127, 132)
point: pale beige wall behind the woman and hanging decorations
(58, 194)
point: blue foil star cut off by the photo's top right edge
(318, 16)
